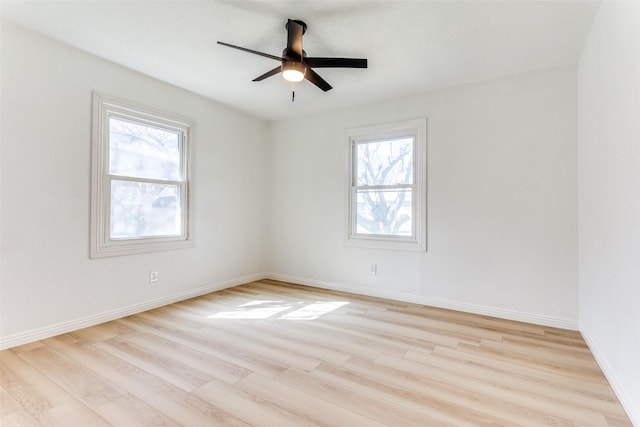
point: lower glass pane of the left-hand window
(144, 210)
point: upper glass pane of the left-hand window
(143, 151)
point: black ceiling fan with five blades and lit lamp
(295, 65)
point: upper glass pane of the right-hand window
(385, 162)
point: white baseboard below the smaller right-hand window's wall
(536, 319)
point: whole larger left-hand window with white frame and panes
(140, 187)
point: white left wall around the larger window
(47, 277)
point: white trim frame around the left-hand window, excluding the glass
(101, 244)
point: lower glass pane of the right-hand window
(384, 212)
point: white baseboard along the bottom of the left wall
(73, 325)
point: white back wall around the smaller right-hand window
(502, 201)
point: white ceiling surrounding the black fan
(412, 46)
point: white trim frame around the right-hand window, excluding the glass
(418, 129)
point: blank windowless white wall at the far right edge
(609, 196)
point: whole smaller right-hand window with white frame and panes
(387, 186)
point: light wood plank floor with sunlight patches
(272, 354)
